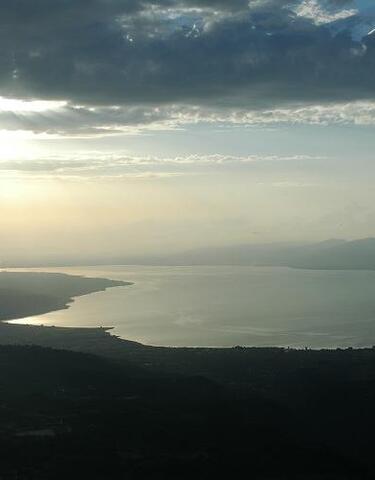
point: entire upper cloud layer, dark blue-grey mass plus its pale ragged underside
(130, 63)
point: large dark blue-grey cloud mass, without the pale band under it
(105, 52)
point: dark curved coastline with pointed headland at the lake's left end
(27, 294)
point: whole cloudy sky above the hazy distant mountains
(130, 127)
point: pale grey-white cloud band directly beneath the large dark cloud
(80, 122)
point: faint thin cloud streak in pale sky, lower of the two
(96, 165)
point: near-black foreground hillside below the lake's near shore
(268, 414)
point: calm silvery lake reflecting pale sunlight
(226, 306)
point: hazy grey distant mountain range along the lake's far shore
(331, 254)
